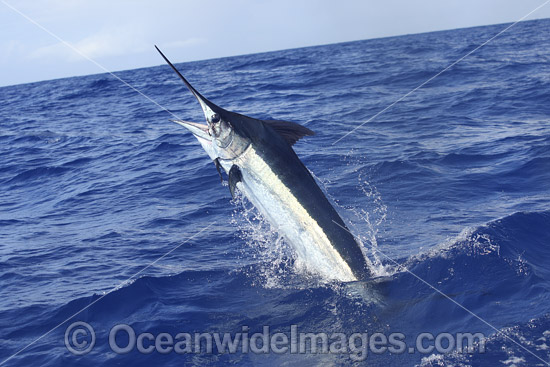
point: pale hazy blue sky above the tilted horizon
(119, 34)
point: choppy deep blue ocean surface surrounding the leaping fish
(110, 214)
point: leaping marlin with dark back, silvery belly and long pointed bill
(259, 160)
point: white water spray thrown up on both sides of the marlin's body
(277, 264)
